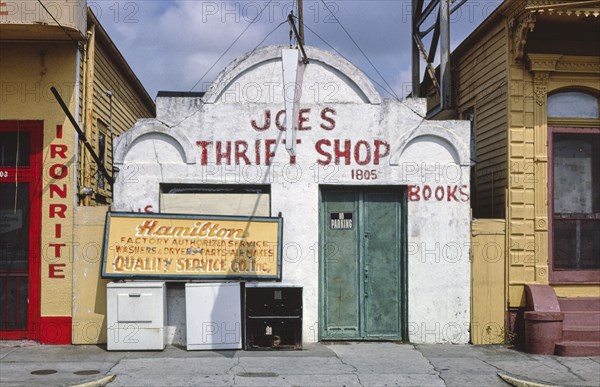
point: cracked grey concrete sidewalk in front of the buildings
(343, 364)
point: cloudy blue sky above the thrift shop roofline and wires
(171, 45)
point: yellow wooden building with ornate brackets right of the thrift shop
(528, 78)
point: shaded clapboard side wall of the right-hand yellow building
(480, 73)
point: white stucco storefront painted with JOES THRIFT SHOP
(348, 138)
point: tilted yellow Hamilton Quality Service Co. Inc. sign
(138, 245)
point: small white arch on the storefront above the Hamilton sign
(153, 130)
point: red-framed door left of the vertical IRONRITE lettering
(20, 221)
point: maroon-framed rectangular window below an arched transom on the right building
(576, 201)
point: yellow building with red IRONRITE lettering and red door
(46, 175)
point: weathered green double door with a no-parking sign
(361, 266)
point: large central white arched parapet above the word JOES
(332, 70)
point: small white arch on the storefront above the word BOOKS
(432, 142)
